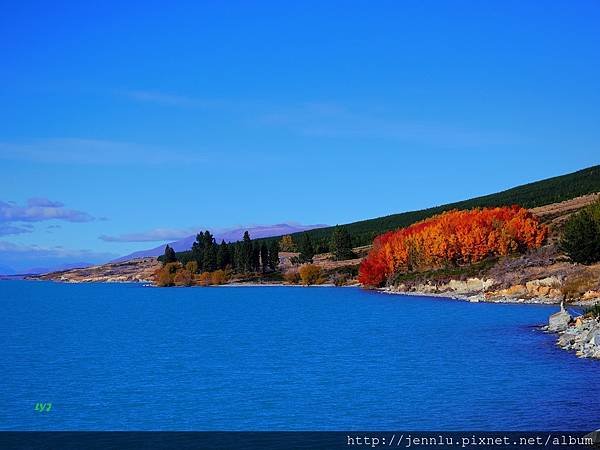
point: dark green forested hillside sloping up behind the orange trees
(538, 193)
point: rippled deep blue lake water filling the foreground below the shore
(129, 357)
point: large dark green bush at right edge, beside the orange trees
(580, 238)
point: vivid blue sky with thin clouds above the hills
(152, 120)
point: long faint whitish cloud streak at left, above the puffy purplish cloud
(96, 152)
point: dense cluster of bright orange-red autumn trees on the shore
(451, 239)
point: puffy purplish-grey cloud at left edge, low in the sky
(40, 209)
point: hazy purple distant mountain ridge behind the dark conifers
(233, 235)
